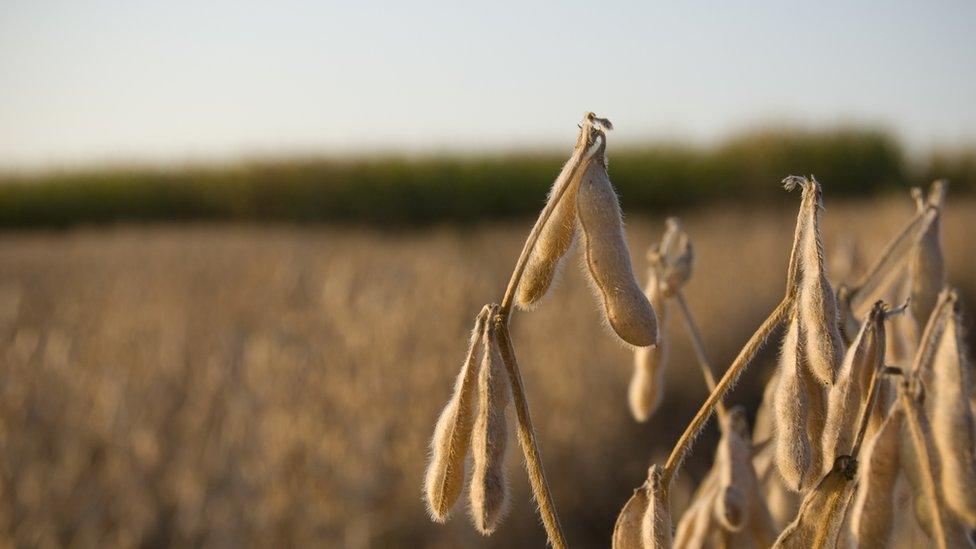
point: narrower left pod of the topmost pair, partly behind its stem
(558, 235)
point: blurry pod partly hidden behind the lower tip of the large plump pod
(647, 383)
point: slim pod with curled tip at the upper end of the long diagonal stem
(819, 318)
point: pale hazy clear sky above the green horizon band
(86, 82)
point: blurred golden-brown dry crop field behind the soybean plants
(252, 385)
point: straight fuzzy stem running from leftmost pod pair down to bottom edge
(527, 439)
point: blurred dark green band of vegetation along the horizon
(407, 191)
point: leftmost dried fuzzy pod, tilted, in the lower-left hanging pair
(452, 435)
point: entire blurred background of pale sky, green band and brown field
(242, 243)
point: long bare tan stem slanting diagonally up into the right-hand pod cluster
(745, 356)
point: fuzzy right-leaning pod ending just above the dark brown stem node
(850, 393)
